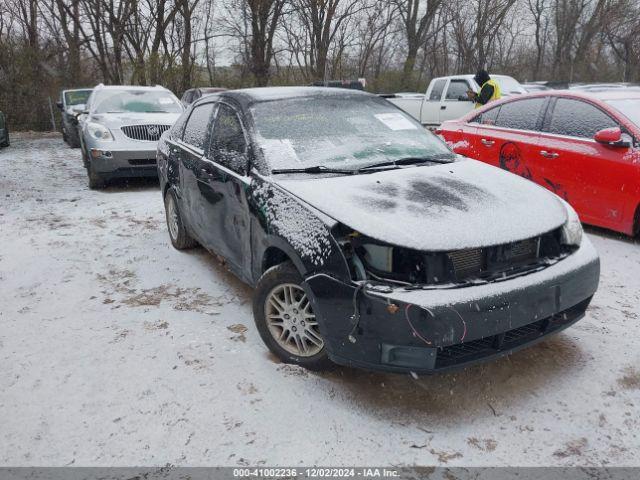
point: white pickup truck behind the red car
(446, 98)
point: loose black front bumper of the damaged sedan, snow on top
(425, 331)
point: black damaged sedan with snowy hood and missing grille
(367, 241)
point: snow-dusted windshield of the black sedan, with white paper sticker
(339, 132)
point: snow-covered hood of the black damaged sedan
(466, 204)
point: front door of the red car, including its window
(579, 169)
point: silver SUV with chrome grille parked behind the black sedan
(120, 129)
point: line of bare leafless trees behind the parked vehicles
(396, 45)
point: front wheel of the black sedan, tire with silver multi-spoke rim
(284, 316)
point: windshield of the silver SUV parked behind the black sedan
(136, 101)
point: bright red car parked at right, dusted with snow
(585, 147)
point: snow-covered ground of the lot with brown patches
(116, 349)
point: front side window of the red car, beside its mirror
(575, 118)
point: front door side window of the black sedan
(228, 144)
